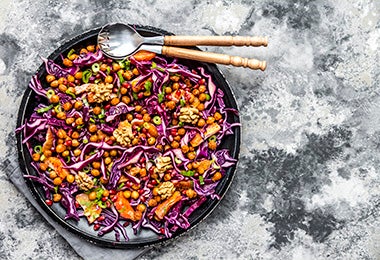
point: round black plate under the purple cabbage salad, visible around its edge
(144, 237)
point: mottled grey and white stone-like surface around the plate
(307, 186)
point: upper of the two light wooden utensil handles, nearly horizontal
(215, 40)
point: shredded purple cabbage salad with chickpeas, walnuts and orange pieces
(133, 142)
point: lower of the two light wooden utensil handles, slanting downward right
(213, 57)
